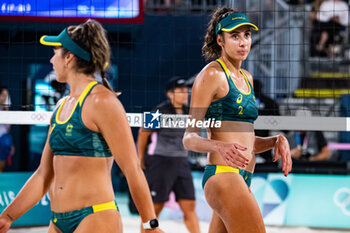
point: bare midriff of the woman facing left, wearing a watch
(80, 182)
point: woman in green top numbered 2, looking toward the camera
(223, 91)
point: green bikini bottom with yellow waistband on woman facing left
(67, 222)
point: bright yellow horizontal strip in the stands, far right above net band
(321, 93)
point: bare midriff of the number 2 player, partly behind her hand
(238, 132)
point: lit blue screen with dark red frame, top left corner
(105, 11)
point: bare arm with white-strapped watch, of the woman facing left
(110, 118)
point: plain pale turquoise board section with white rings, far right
(319, 200)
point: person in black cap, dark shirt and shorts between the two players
(165, 160)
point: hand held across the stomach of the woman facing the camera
(230, 152)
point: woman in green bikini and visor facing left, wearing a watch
(88, 129)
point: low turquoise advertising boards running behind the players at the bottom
(298, 200)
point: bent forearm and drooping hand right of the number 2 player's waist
(282, 150)
